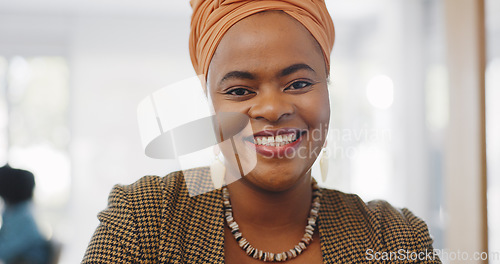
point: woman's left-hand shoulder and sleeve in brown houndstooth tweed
(137, 214)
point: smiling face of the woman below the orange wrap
(270, 68)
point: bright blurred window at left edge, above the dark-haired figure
(35, 134)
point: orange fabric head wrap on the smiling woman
(211, 19)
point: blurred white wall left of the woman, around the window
(114, 61)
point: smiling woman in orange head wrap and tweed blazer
(268, 60)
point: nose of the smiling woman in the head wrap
(271, 106)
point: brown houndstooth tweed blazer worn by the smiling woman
(155, 221)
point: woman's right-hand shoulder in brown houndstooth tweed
(393, 227)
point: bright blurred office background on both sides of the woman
(407, 93)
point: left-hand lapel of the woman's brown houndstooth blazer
(192, 229)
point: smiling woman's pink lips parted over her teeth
(280, 151)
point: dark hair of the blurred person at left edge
(16, 185)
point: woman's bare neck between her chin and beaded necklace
(269, 210)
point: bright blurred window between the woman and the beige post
(389, 104)
